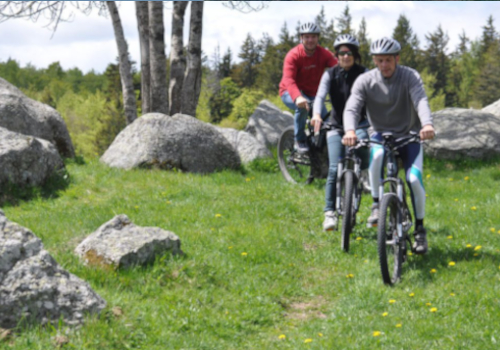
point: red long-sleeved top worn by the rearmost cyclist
(302, 72)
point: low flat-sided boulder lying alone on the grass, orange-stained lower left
(120, 244)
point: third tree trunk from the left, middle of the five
(158, 60)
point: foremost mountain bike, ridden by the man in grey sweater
(395, 220)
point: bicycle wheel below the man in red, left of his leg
(295, 167)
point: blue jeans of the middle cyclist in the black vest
(336, 151)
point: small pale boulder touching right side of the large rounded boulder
(247, 146)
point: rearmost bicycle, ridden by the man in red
(299, 167)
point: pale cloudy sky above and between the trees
(88, 42)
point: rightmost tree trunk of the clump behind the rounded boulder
(192, 80)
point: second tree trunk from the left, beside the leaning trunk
(143, 27)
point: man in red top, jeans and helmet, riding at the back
(302, 70)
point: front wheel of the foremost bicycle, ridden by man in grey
(390, 252)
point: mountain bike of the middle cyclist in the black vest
(349, 190)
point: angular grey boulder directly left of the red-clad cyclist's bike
(268, 122)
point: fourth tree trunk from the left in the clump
(177, 59)
